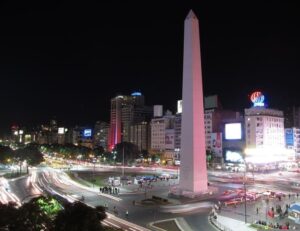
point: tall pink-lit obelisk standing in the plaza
(193, 172)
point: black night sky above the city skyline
(66, 60)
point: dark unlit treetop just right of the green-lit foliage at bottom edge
(78, 216)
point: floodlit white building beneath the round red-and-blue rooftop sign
(264, 130)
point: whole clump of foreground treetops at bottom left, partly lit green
(45, 213)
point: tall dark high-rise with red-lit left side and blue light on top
(125, 112)
